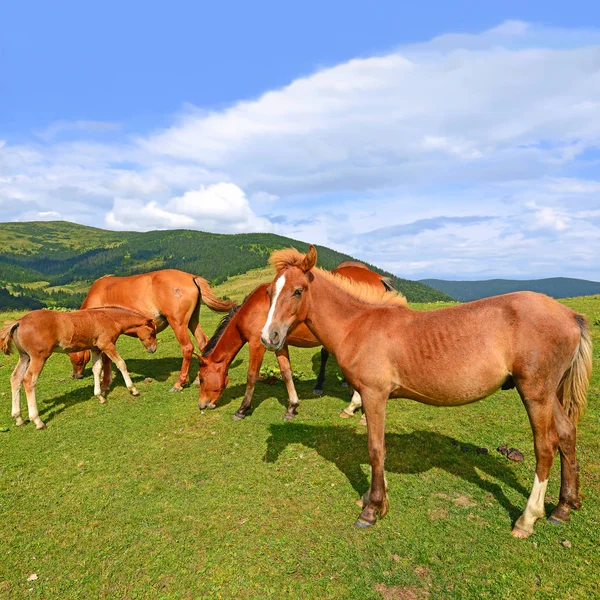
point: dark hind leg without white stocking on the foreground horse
(569, 477)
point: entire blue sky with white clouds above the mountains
(442, 139)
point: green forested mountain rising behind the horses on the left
(67, 258)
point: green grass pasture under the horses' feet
(147, 498)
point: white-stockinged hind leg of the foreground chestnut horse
(545, 439)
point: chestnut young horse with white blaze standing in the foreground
(445, 357)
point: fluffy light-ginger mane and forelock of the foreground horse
(365, 292)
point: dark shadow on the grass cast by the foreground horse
(407, 453)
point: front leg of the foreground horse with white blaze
(374, 402)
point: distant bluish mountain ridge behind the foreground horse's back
(557, 287)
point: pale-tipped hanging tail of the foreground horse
(572, 390)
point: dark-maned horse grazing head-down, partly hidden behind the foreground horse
(243, 324)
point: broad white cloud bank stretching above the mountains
(463, 155)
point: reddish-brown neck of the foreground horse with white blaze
(331, 311)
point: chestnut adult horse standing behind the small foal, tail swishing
(170, 297)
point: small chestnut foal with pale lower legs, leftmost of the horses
(40, 333)
